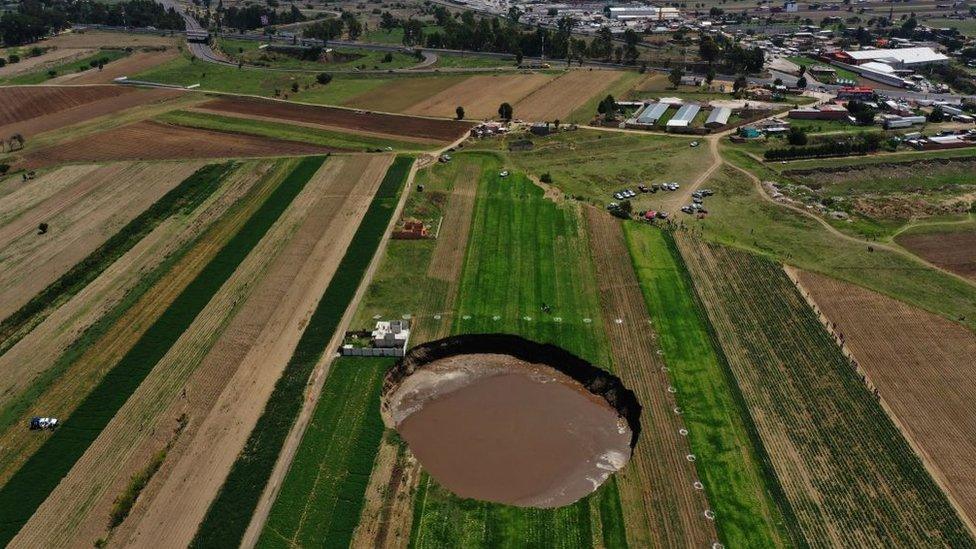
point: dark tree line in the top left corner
(33, 20)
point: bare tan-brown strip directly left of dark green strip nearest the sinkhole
(293, 288)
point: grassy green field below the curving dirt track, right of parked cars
(739, 217)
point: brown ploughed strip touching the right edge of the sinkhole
(661, 508)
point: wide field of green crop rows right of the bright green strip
(850, 475)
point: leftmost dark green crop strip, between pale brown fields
(183, 198)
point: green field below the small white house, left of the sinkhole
(321, 497)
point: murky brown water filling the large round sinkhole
(494, 428)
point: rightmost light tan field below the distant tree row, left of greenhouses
(563, 95)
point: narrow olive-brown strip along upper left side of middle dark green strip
(84, 373)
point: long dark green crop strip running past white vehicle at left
(32, 483)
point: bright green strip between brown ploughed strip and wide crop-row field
(732, 464)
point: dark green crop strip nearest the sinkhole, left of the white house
(229, 514)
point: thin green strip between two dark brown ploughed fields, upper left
(288, 132)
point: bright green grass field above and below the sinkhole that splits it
(524, 251)
